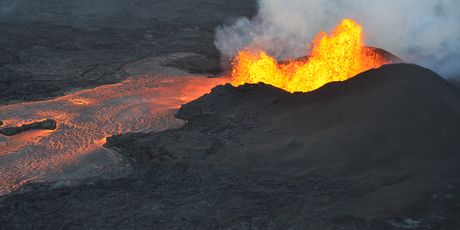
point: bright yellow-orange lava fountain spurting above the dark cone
(335, 57)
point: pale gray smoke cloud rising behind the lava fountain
(422, 32)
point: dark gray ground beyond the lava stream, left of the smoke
(50, 47)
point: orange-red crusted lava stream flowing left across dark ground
(74, 150)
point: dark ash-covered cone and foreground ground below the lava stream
(379, 151)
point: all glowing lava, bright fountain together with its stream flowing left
(86, 118)
